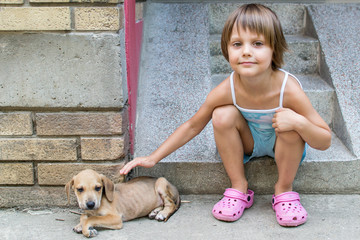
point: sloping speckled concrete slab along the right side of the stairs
(337, 27)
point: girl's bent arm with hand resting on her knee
(300, 116)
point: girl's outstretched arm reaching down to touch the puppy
(187, 131)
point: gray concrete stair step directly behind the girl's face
(301, 58)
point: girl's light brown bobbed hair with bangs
(261, 20)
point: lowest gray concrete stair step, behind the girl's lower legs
(330, 171)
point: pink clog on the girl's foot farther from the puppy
(288, 209)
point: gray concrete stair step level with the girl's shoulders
(320, 93)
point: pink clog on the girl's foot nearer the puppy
(232, 205)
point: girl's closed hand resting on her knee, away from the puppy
(285, 120)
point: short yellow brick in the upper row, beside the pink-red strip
(89, 19)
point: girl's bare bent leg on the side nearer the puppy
(233, 138)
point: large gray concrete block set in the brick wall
(60, 70)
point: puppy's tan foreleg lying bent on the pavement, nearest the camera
(108, 221)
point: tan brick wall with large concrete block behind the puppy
(62, 96)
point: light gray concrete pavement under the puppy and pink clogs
(330, 217)
